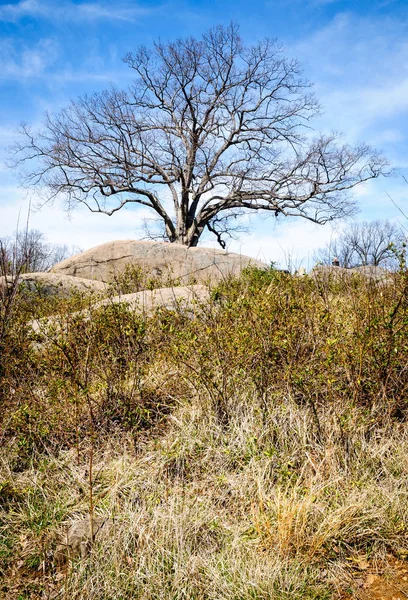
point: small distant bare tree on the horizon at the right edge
(377, 243)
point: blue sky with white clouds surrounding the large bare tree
(355, 53)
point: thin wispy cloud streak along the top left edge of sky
(70, 11)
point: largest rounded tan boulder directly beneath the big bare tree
(173, 261)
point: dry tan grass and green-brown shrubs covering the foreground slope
(253, 447)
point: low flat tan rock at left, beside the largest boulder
(55, 284)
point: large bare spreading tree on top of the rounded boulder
(209, 127)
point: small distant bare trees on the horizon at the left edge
(28, 252)
